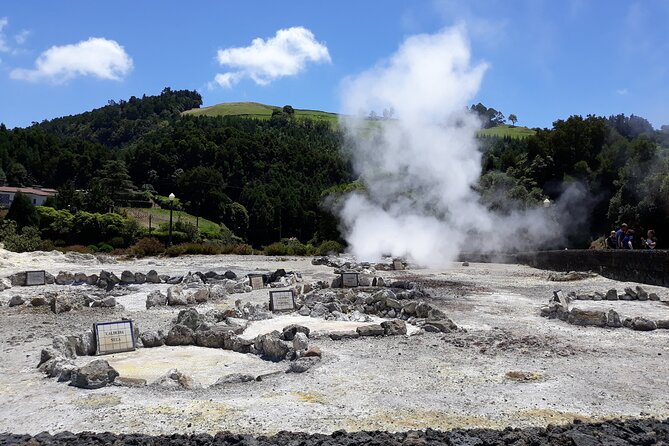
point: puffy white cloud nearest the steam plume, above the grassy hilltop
(285, 54)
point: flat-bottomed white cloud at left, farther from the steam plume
(98, 57)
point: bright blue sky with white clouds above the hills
(547, 60)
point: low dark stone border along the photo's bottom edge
(645, 431)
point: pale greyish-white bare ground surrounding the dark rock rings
(506, 366)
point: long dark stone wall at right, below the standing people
(642, 266)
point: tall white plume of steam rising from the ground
(419, 166)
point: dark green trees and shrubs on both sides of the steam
(265, 179)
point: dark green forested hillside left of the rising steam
(262, 177)
